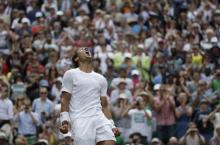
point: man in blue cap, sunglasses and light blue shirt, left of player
(42, 105)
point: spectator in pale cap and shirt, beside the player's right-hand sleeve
(121, 88)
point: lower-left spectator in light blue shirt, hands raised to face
(27, 122)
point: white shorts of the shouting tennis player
(91, 130)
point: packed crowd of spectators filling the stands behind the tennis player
(161, 59)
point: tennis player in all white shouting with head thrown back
(84, 103)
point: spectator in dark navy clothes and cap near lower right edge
(205, 127)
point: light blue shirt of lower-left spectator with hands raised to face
(26, 125)
